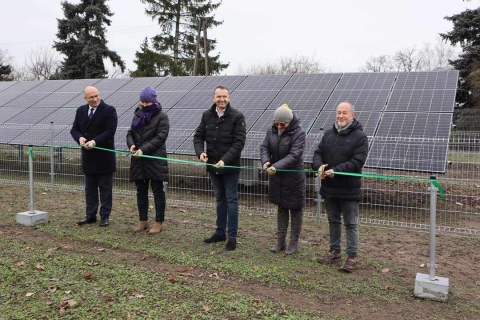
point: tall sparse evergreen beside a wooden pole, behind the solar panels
(176, 45)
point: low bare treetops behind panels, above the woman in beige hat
(287, 65)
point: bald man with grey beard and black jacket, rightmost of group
(343, 148)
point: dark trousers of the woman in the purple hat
(158, 197)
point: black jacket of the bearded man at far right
(344, 151)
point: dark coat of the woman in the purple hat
(151, 139)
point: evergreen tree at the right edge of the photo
(466, 32)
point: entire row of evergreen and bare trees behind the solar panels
(183, 48)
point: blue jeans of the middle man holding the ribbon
(225, 188)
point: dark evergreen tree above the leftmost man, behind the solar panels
(82, 40)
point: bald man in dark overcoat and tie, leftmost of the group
(94, 126)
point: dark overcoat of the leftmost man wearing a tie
(102, 129)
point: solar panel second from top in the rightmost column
(427, 100)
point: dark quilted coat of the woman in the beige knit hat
(285, 189)
